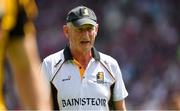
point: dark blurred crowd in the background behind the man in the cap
(143, 35)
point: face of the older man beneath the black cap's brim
(82, 38)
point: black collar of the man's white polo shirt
(68, 55)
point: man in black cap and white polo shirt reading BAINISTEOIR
(81, 77)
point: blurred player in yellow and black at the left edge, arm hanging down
(16, 22)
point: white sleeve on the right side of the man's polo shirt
(119, 91)
